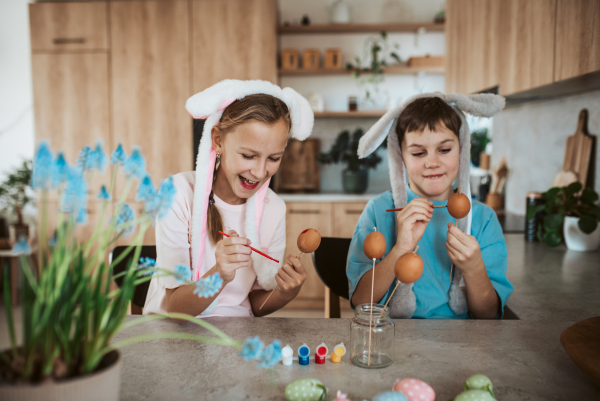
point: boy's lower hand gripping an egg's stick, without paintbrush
(464, 251)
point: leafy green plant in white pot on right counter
(571, 213)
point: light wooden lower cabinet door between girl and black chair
(301, 216)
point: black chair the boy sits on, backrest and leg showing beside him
(330, 263)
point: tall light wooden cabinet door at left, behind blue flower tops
(70, 101)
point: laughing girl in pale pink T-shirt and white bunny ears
(247, 127)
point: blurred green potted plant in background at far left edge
(15, 194)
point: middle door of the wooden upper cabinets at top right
(527, 44)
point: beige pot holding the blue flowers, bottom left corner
(102, 385)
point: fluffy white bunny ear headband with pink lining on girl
(209, 104)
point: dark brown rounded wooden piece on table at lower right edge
(582, 343)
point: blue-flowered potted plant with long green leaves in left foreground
(69, 311)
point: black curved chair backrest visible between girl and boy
(330, 263)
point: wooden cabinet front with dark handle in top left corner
(68, 26)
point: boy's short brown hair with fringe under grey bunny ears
(427, 112)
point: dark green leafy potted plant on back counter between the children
(355, 177)
